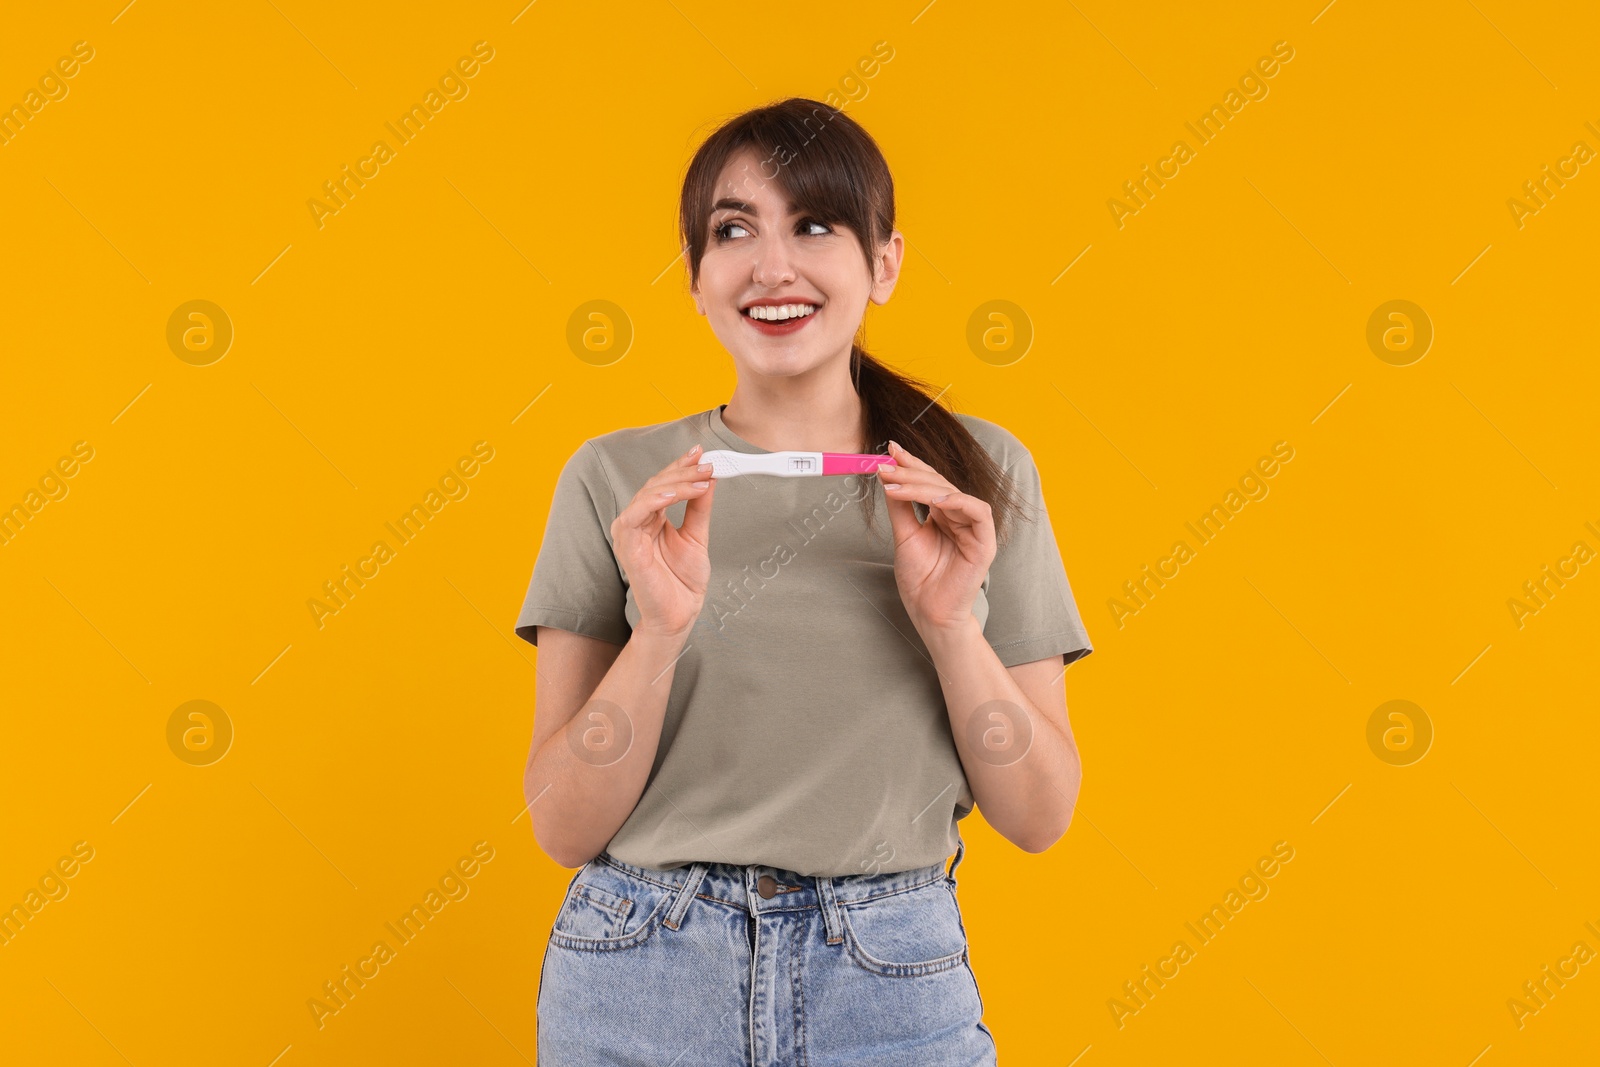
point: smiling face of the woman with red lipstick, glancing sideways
(759, 252)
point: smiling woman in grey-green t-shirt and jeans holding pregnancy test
(759, 722)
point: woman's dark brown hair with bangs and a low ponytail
(833, 169)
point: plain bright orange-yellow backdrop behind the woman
(431, 313)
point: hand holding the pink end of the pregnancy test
(940, 565)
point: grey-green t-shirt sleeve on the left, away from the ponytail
(577, 583)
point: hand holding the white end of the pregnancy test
(668, 567)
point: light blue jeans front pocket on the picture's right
(905, 935)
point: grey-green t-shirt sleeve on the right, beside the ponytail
(1033, 613)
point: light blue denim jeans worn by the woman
(694, 965)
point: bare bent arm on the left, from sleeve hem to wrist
(596, 732)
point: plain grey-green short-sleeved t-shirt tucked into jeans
(806, 727)
